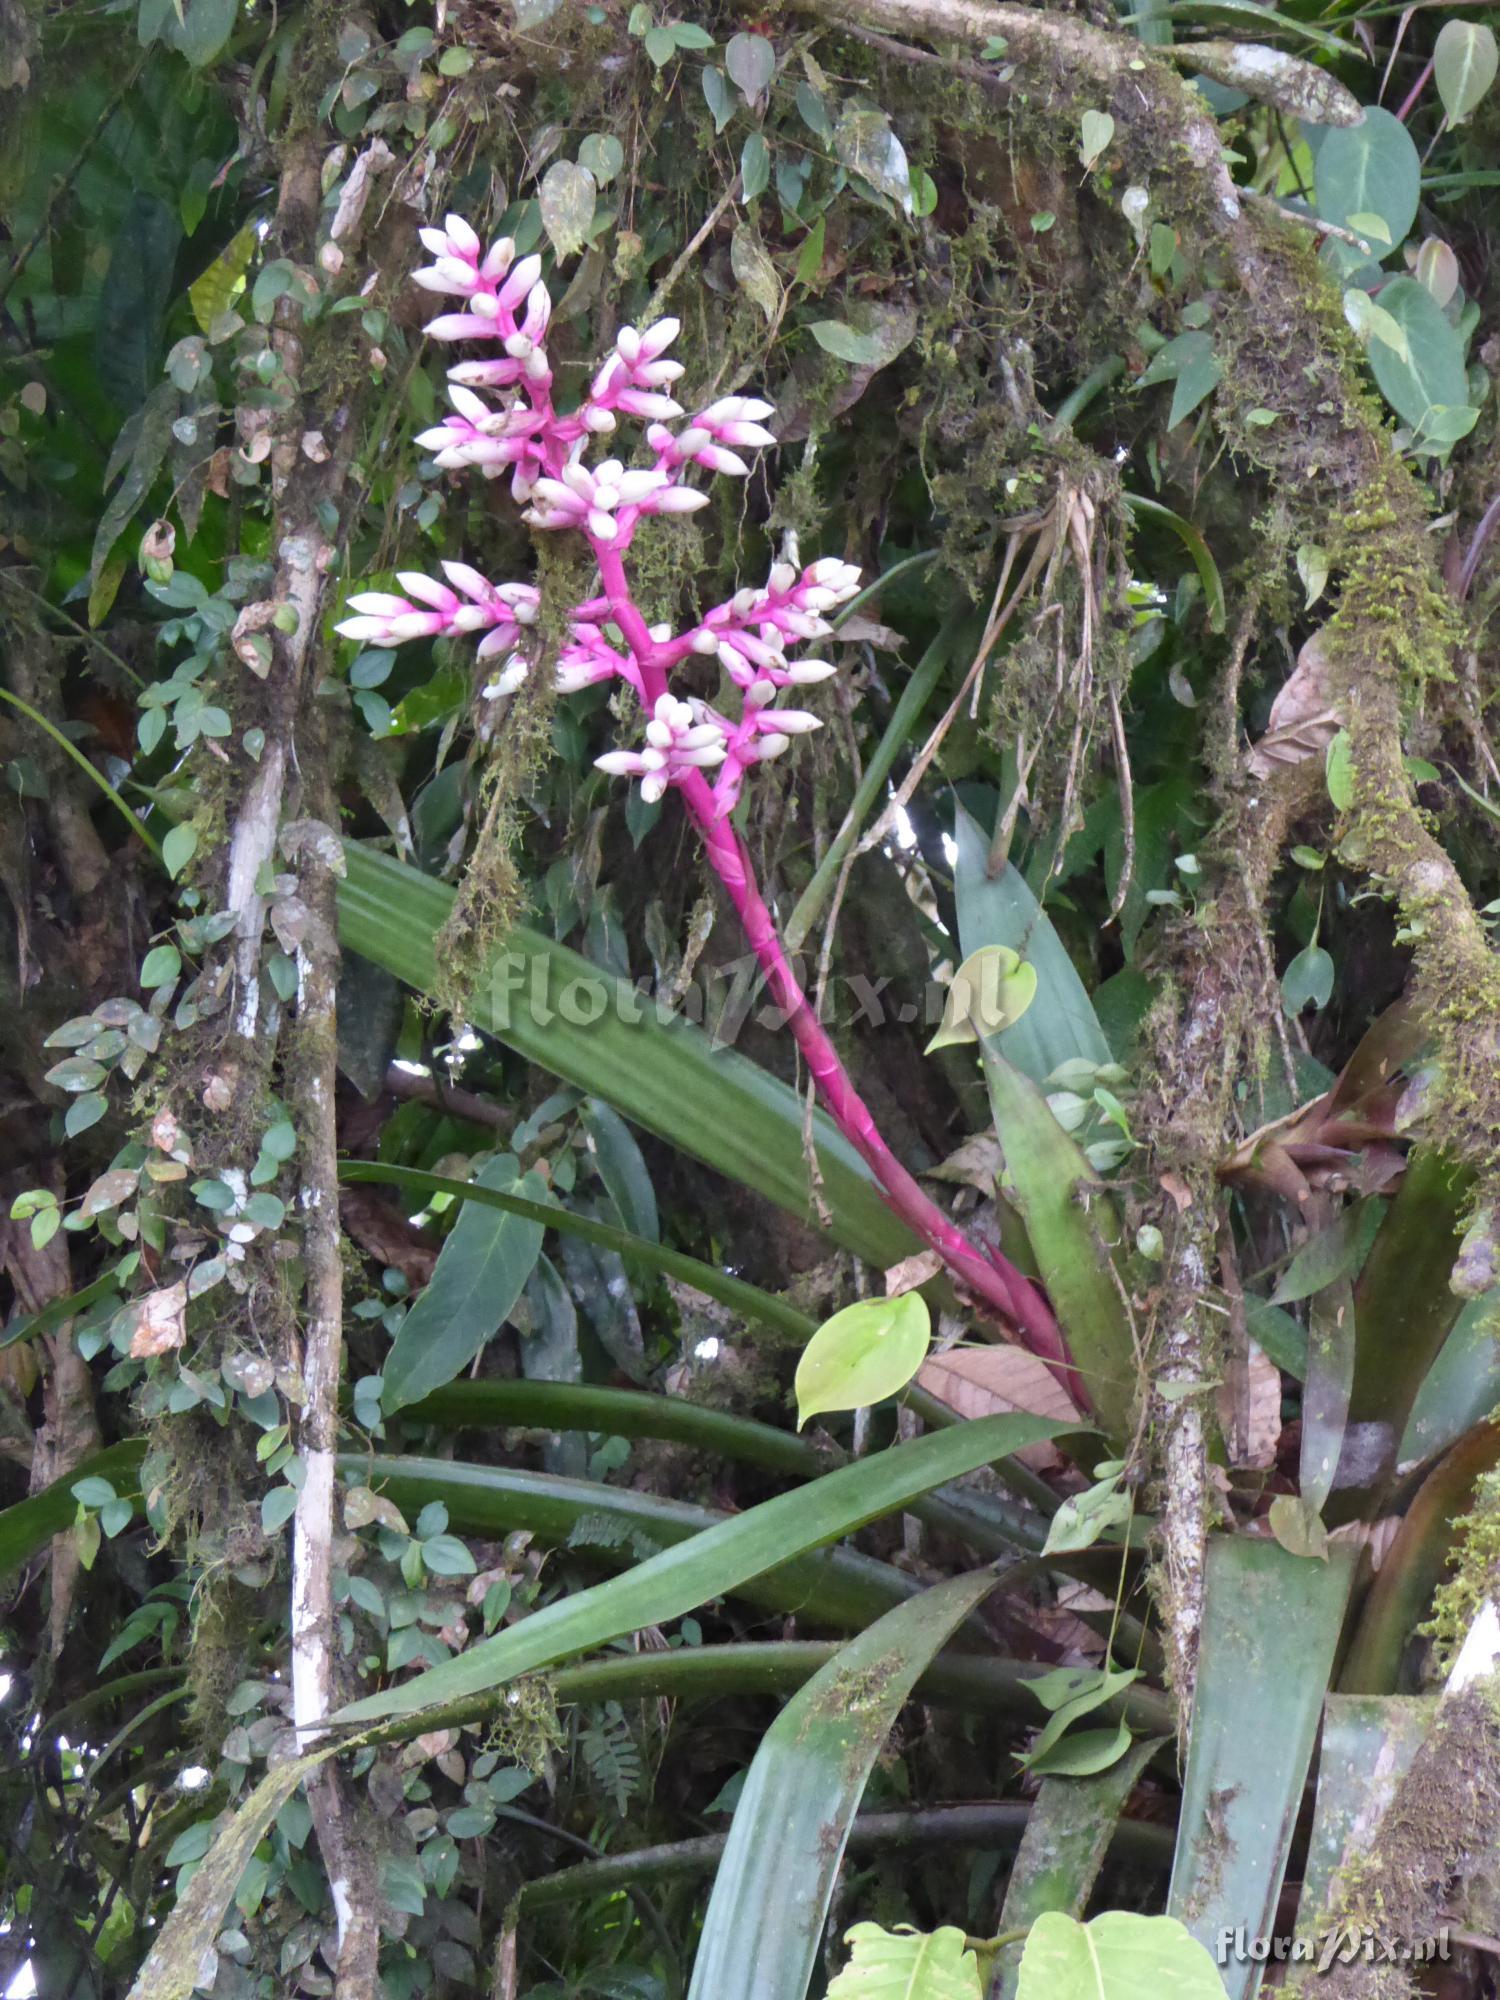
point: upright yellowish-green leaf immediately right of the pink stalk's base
(1071, 1229)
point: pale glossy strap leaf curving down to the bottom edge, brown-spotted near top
(777, 1879)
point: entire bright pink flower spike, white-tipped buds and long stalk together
(685, 741)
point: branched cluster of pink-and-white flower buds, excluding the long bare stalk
(501, 299)
